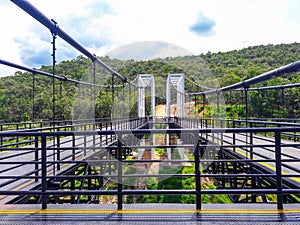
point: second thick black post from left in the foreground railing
(119, 169)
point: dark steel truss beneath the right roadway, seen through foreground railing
(241, 176)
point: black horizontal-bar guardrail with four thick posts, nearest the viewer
(196, 148)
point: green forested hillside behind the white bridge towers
(20, 103)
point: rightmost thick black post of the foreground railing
(278, 170)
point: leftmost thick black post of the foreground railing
(44, 172)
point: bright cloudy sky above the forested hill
(143, 29)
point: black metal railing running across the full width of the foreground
(46, 153)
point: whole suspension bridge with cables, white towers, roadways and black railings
(100, 169)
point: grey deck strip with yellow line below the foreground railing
(150, 214)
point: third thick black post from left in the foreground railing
(197, 173)
